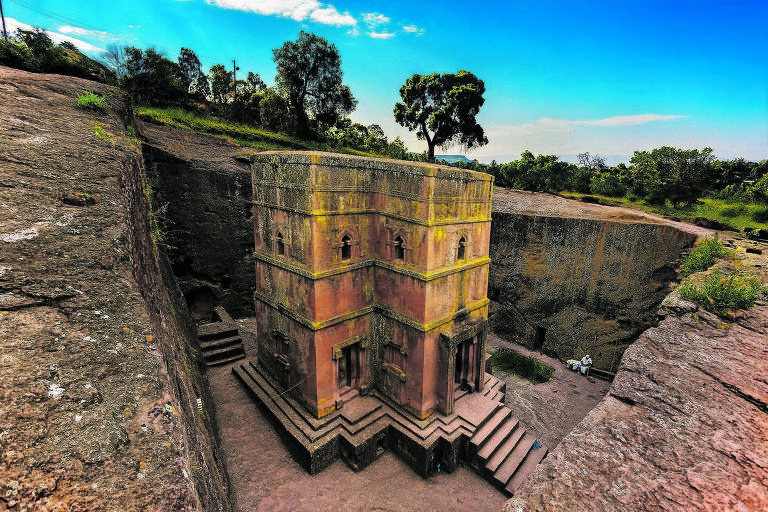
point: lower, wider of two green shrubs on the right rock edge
(723, 293)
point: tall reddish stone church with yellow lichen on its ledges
(371, 274)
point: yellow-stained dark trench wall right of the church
(572, 286)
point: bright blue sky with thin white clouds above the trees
(562, 76)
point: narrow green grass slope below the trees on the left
(242, 135)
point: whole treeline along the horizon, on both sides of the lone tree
(310, 100)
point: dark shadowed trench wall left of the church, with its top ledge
(205, 196)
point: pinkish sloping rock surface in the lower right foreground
(684, 426)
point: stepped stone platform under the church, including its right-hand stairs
(481, 433)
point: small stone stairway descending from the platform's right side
(502, 451)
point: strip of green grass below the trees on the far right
(735, 215)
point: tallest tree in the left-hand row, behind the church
(309, 76)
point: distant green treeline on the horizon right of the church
(680, 176)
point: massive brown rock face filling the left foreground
(97, 405)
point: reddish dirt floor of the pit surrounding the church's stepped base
(264, 476)
